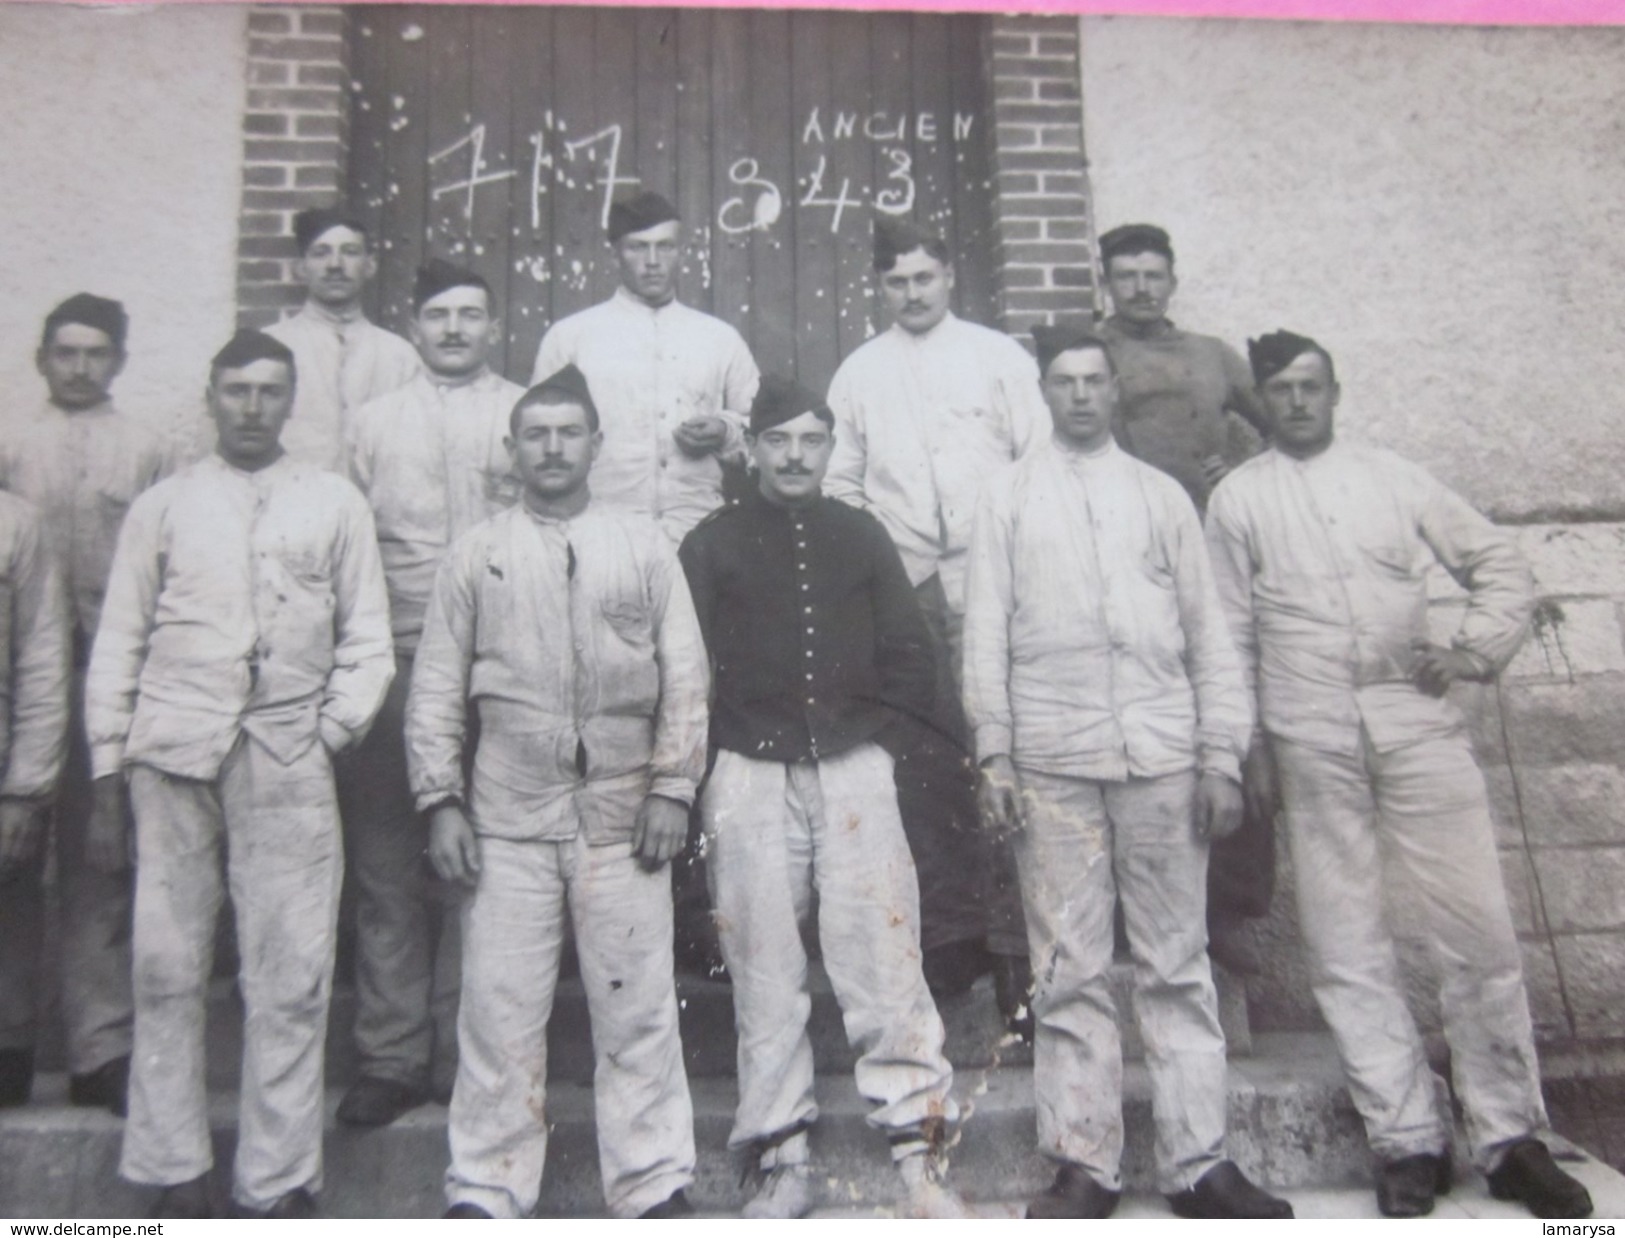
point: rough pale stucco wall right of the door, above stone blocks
(1442, 207)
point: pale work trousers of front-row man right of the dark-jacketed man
(1085, 846)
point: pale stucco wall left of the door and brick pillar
(121, 176)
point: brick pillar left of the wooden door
(295, 132)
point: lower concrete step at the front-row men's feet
(1291, 1127)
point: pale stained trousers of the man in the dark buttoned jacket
(774, 834)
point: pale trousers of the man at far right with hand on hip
(1423, 810)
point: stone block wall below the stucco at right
(1551, 740)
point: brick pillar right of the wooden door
(1042, 223)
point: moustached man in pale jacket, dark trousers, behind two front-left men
(433, 464)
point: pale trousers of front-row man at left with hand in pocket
(272, 833)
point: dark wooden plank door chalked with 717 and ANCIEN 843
(498, 137)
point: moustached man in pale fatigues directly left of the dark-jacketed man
(566, 631)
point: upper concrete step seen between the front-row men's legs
(976, 1032)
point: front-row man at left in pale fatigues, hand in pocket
(245, 643)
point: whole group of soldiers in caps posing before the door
(948, 647)
